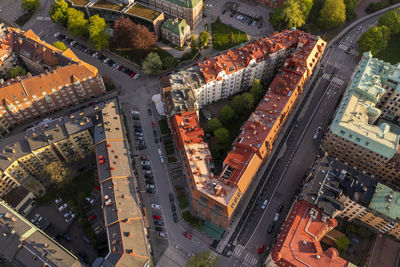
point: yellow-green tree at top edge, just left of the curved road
(332, 14)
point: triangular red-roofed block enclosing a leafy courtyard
(215, 197)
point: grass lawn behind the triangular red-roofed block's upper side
(221, 36)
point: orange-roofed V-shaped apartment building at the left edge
(55, 80)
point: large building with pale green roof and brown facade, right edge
(364, 130)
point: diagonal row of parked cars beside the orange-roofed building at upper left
(97, 55)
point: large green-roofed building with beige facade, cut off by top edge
(190, 10)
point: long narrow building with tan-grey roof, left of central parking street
(123, 218)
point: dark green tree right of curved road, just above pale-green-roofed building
(375, 39)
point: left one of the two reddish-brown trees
(123, 31)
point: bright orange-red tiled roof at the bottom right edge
(299, 242)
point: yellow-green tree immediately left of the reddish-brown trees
(98, 36)
